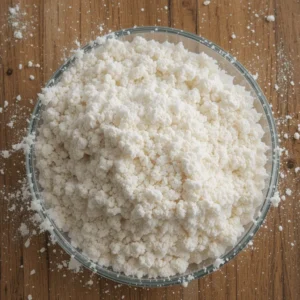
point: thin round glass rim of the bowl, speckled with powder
(176, 279)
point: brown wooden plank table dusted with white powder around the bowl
(270, 269)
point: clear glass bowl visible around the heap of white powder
(242, 77)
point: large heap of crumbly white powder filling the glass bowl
(150, 157)
